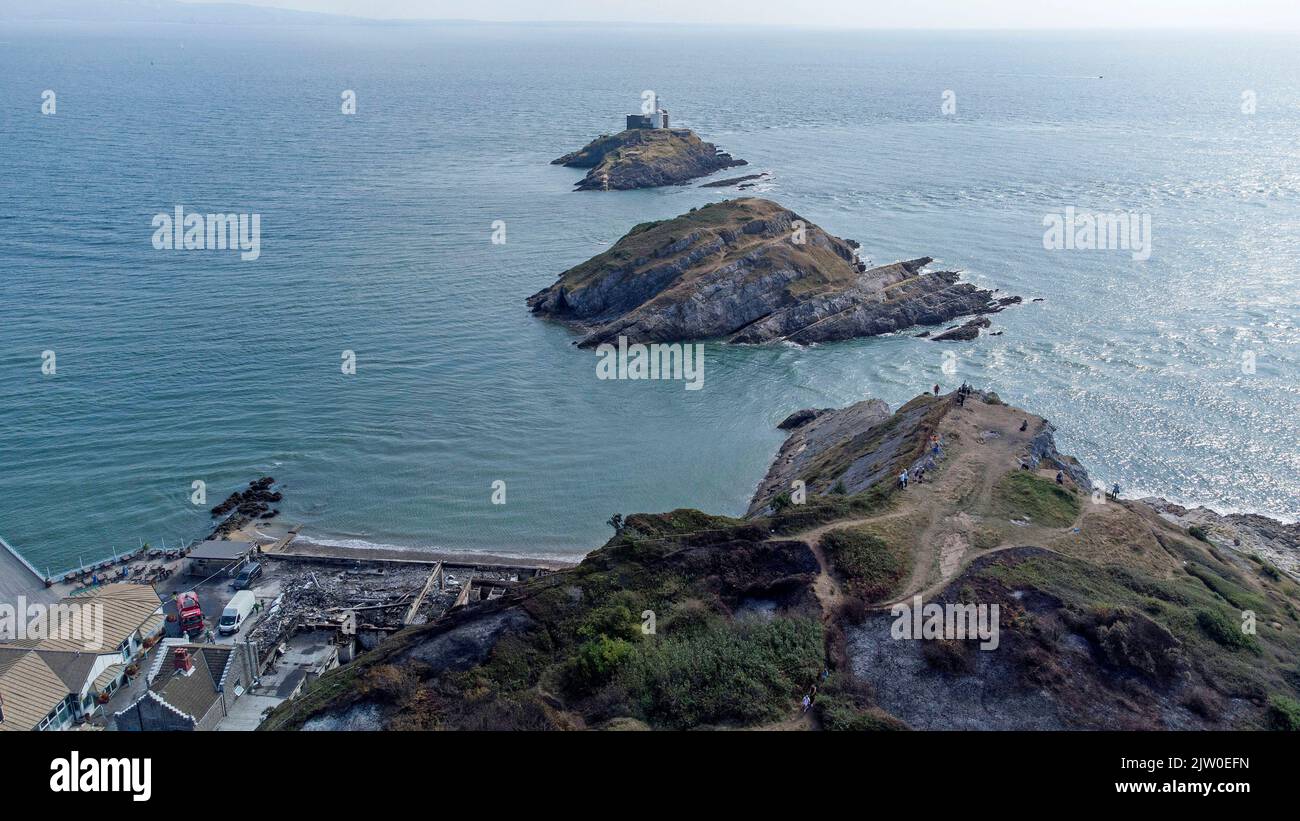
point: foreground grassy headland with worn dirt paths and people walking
(1111, 615)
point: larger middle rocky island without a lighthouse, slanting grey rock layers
(749, 271)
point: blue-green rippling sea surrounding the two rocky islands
(376, 238)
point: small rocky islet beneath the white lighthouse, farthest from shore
(644, 159)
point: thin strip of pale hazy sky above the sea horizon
(848, 14)
